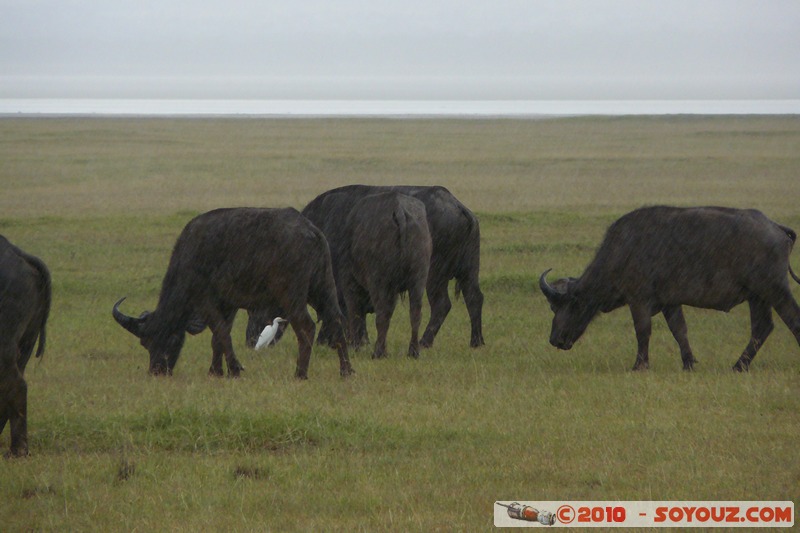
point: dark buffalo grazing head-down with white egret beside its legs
(246, 258)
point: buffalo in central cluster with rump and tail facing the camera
(387, 251)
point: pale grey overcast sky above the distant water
(403, 49)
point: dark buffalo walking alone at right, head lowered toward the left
(656, 259)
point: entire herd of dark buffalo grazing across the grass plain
(353, 250)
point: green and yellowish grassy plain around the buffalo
(402, 445)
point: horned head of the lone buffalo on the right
(572, 310)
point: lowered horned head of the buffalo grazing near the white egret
(163, 344)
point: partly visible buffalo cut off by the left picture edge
(24, 307)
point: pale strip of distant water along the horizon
(393, 108)
